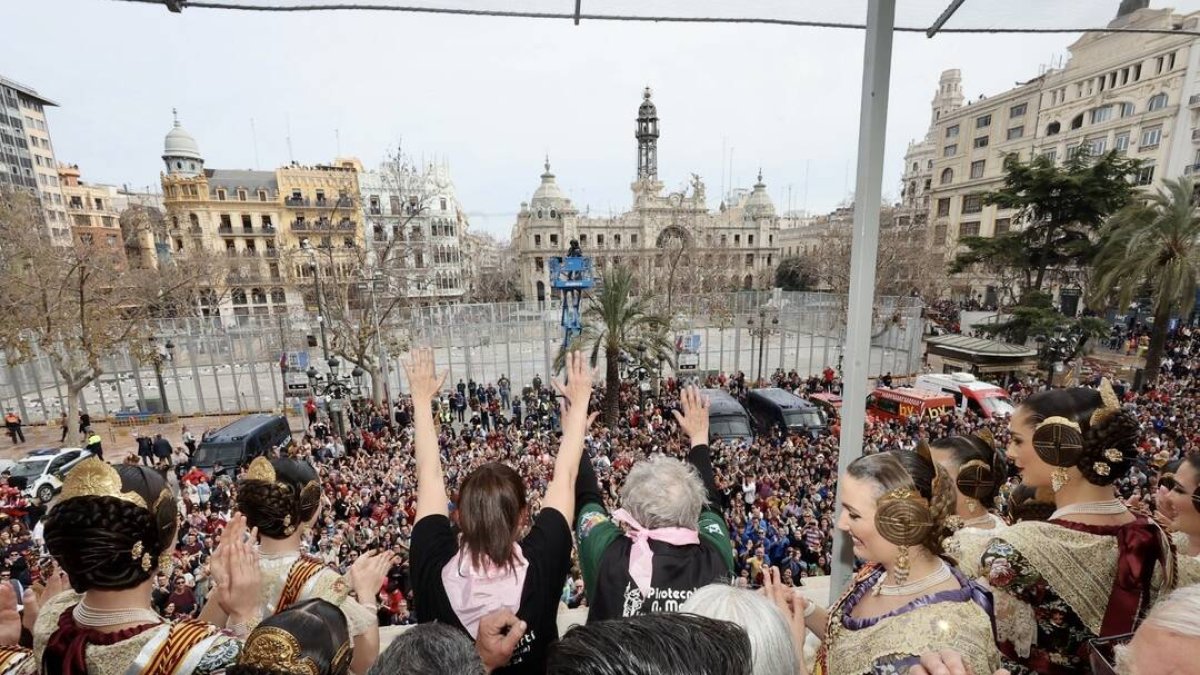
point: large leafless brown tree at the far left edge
(75, 304)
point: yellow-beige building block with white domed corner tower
(257, 222)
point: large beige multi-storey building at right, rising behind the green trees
(1137, 94)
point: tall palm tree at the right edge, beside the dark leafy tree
(1153, 244)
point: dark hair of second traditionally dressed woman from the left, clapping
(278, 509)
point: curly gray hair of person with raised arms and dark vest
(663, 492)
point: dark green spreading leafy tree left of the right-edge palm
(1061, 211)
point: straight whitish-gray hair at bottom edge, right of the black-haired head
(772, 646)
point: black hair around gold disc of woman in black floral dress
(1117, 431)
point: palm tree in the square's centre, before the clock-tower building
(619, 324)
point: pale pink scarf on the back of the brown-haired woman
(476, 593)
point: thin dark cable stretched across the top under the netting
(574, 17)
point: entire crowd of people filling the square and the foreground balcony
(478, 511)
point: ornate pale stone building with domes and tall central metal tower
(668, 240)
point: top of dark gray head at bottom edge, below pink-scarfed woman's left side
(430, 649)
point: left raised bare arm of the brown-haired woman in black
(424, 384)
